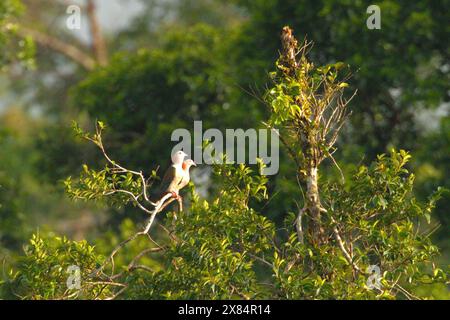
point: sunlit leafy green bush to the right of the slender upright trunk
(375, 219)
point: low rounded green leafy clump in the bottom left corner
(44, 270)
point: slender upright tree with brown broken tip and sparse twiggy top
(309, 106)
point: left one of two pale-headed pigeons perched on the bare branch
(173, 176)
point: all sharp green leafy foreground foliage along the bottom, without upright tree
(214, 250)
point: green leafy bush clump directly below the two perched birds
(213, 255)
